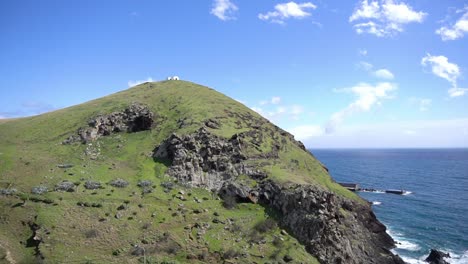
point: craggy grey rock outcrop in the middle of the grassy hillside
(203, 159)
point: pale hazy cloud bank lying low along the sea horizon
(419, 134)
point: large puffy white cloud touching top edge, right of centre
(384, 18)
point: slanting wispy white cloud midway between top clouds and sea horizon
(367, 97)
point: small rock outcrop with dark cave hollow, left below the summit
(134, 118)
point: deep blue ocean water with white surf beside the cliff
(434, 214)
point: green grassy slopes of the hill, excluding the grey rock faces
(122, 225)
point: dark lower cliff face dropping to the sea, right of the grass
(334, 229)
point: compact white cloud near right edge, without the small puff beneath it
(442, 68)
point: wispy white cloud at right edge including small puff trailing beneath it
(441, 67)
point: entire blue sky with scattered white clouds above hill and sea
(334, 73)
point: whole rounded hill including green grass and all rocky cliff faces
(177, 172)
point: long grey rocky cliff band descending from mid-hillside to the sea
(333, 228)
